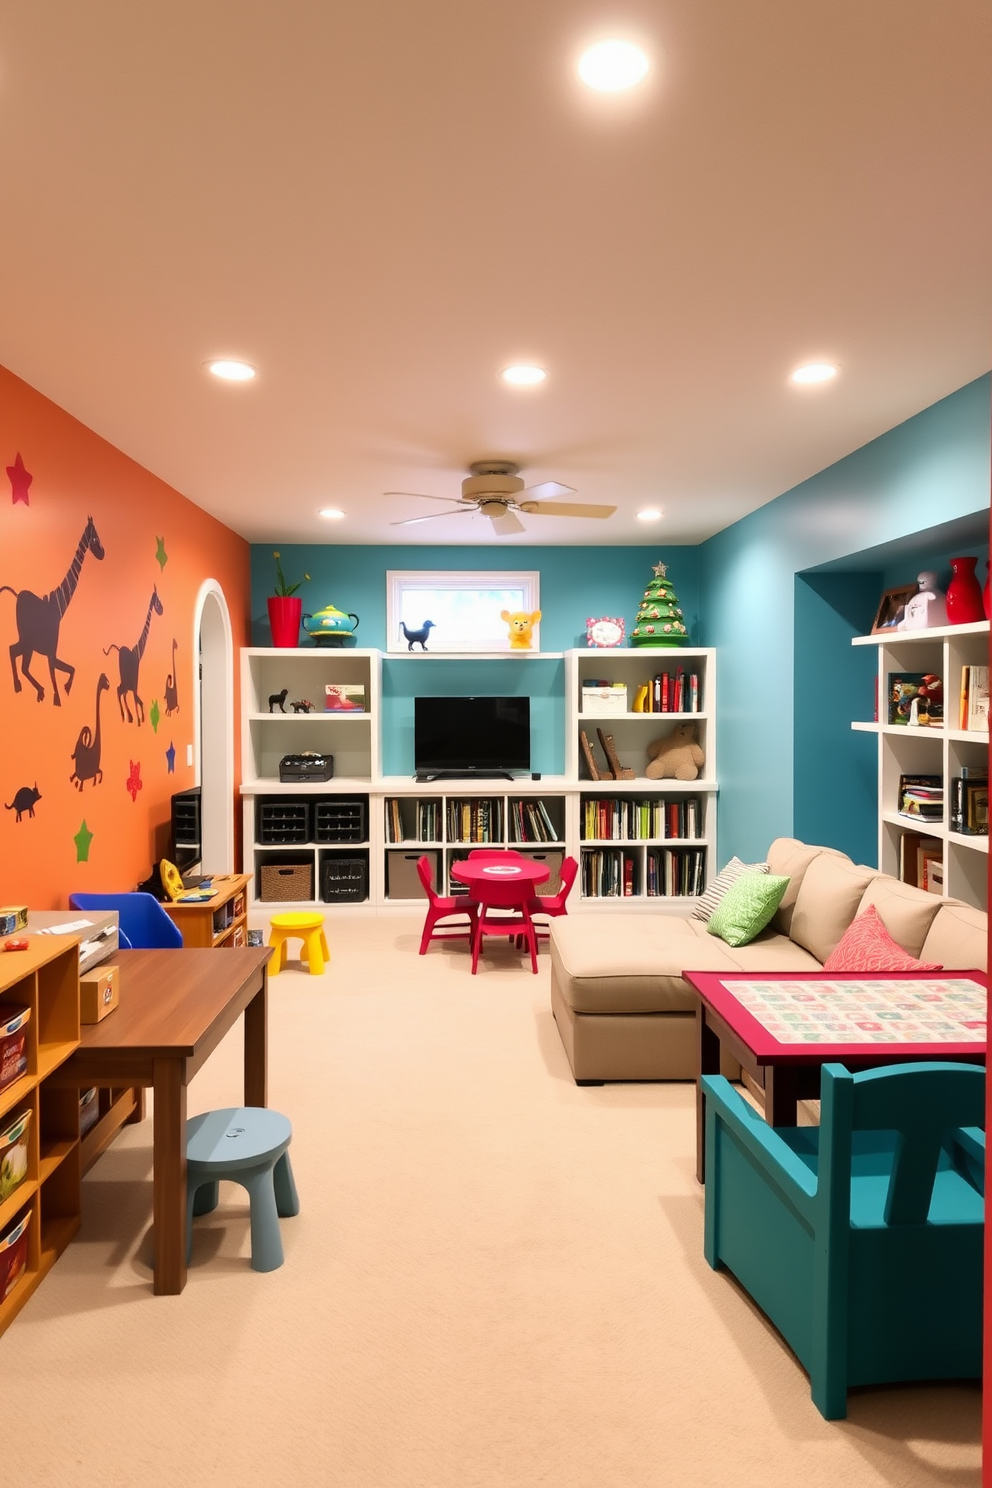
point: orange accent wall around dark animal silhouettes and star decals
(78, 475)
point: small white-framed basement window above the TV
(463, 606)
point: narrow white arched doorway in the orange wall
(213, 727)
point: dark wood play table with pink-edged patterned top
(783, 1027)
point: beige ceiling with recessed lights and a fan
(380, 205)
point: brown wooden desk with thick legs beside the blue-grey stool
(176, 1007)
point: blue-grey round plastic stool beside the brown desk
(249, 1147)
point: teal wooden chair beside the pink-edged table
(860, 1239)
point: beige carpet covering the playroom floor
(496, 1279)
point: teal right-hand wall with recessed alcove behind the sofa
(782, 639)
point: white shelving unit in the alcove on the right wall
(930, 751)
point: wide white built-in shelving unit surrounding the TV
(356, 746)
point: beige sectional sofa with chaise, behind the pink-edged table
(624, 1011)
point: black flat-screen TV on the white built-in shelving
(463, 737)
